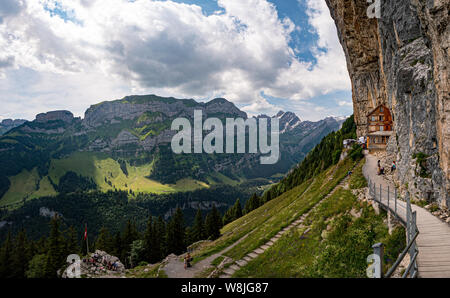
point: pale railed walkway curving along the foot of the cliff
(434, 239)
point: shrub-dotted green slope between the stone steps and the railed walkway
(342, 232)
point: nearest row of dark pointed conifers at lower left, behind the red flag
(21, 257)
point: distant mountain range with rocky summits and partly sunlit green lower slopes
(125, 145)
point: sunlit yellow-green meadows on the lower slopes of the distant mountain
(105, 172)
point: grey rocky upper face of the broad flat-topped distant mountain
(145, 110)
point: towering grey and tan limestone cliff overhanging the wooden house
(402, 60)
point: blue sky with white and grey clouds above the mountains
(263, 55)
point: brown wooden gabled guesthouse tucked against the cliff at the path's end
(379, 123)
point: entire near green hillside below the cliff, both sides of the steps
(342, 229)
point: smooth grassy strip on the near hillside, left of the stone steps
(263, 223)
